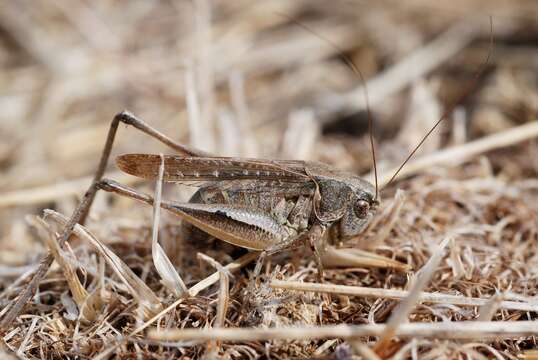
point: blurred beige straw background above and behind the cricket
(243, 78)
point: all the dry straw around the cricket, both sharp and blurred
(448, 267)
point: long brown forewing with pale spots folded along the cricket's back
(179, 168)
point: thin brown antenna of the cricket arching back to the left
(358, 73)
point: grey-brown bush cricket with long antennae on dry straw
(257, 204)
